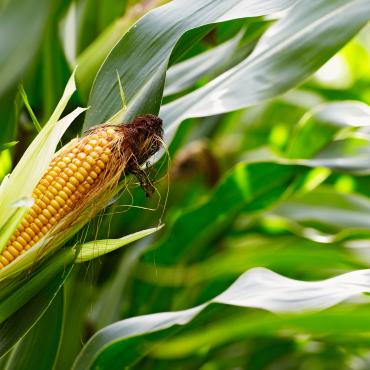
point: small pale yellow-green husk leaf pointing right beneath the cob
(88, 251)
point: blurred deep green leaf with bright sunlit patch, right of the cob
(246, 186)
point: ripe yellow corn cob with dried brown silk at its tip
(79, 173)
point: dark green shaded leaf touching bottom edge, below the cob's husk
(45, 335)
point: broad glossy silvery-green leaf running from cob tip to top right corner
(288, 53)
